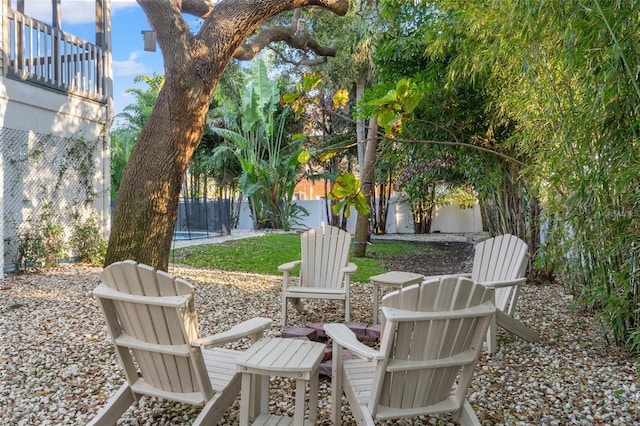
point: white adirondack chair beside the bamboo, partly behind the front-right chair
(500, 264)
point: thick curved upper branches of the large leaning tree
(225, 28)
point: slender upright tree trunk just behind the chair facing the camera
(362, 224)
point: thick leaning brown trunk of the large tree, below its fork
(147, 205)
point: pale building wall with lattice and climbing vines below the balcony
(46, 176)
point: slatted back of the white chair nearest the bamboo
(501, 258)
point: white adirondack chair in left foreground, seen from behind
(154, 326)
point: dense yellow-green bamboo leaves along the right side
(566, 77)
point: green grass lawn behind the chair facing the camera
(263, 255)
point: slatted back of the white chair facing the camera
(324, 254)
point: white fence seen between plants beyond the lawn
(447, 219)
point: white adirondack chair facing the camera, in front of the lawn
(324, 269)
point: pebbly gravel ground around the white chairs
(58, 367)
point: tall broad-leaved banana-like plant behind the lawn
(267, 152)
